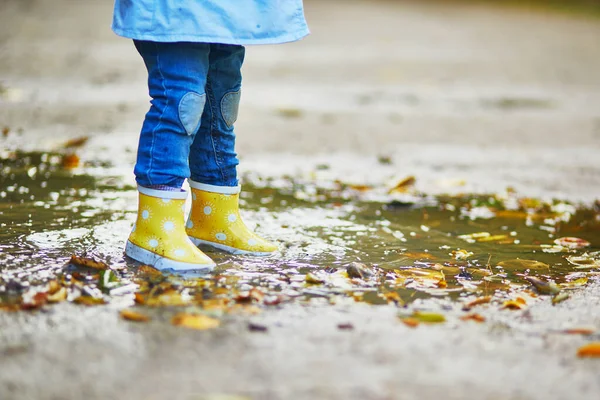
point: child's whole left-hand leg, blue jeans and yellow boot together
(176, 79)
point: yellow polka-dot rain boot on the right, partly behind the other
(215, 221)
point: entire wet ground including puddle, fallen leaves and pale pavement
(492, 110)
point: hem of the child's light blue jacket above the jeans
(212, 21)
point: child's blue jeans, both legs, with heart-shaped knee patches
(188, 131)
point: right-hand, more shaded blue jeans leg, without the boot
(213, 159)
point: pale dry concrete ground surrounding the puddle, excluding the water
(465, 97)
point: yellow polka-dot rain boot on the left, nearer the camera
(158, 237)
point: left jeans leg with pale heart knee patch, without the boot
(176, 80)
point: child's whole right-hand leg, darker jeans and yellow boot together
(214, 219)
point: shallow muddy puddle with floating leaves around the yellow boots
(410, 244)
